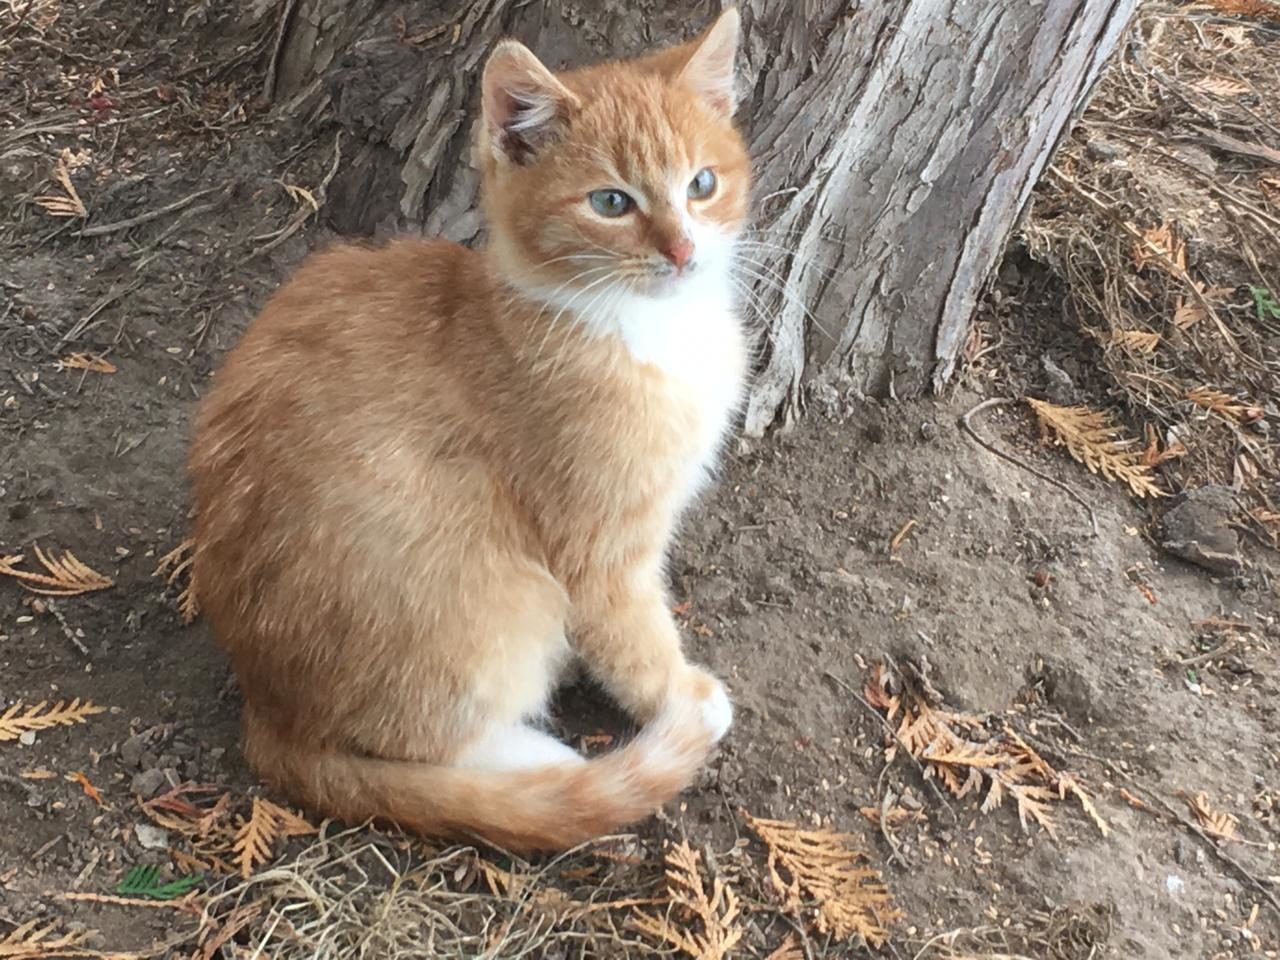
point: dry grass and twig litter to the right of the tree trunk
(1163, 217)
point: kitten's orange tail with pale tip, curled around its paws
(555, 807)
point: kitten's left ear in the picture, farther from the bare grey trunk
(524, 106)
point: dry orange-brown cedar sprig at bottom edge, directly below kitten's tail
(716, 913)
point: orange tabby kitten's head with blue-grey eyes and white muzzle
(625, 179)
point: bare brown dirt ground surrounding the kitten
(1149, 679)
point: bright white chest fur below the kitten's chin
(694, 339)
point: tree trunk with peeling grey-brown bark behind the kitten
(895, 144)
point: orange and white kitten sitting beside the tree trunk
(429, 477)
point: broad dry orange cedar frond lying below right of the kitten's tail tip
(816, 865)
